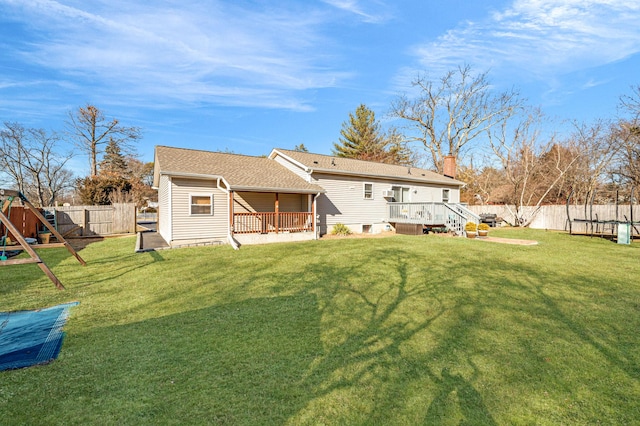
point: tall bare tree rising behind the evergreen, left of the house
(91, 130)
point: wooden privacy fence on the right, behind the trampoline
(555, 216)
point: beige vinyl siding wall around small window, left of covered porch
(191, 227)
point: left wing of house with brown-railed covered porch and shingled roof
(209, 197)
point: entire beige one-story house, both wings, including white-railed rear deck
(208, 197)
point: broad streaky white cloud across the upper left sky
(188, 51)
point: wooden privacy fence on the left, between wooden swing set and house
(84, 221)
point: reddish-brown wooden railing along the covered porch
(271, 222)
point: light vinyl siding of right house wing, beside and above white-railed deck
(344, 200)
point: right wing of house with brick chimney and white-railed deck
(369, 197)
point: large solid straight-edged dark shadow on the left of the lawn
(240, 363)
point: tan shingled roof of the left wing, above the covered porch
(241, 172)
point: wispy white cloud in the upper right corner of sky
(538, 39)
